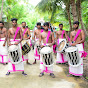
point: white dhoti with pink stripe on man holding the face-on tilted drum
(61, 58)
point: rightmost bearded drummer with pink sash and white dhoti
(77, 38)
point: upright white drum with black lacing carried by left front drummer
(14, 54)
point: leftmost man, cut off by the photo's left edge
(3, 44)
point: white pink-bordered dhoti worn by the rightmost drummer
(77, 71)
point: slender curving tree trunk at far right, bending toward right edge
(80, 16)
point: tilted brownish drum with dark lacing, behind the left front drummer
(26, 47)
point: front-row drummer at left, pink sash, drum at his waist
(14, 35)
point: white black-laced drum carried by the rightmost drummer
(74, 59)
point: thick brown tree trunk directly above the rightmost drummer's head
(73, 9)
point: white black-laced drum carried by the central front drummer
(47, 57)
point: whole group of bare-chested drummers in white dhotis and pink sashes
(44, 39)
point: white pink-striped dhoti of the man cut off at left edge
(3, 51)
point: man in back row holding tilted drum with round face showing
(60, 36)
